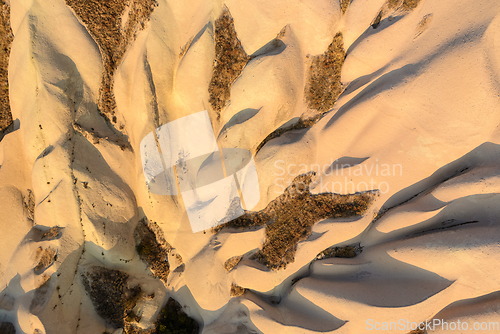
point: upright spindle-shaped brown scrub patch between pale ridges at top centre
(230, 59)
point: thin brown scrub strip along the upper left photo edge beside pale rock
(6, 38)
